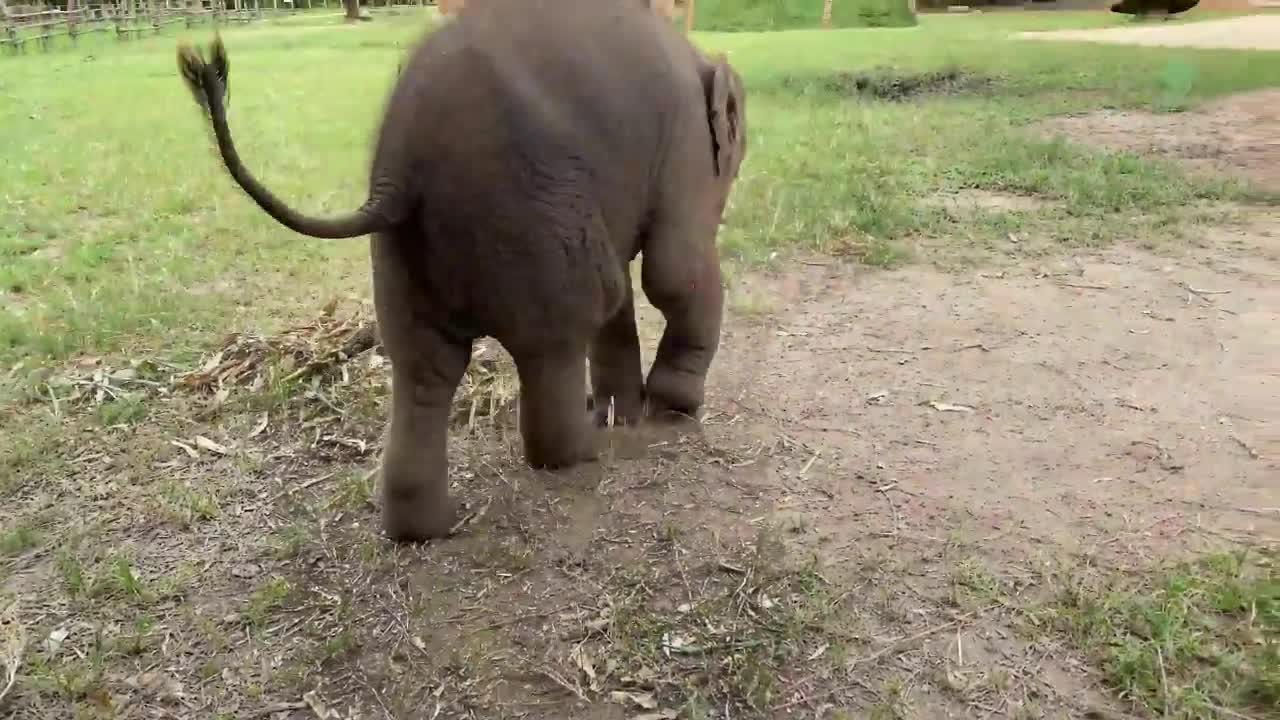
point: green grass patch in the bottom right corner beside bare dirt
(1187, 641)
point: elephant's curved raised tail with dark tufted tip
(208, 83)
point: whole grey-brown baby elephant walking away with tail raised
(529, 152)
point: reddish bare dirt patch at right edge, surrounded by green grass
(1237, 136)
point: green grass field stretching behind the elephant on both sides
(122, 227)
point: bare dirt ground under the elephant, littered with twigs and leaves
(886, 462)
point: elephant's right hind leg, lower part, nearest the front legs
(555, 430)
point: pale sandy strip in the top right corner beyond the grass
(1250, 33)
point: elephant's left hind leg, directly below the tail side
(417, 504)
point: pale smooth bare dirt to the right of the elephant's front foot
(1060, 405)
